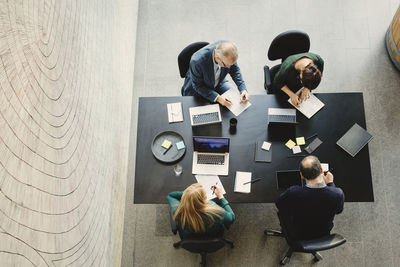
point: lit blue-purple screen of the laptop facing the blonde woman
(211, 144)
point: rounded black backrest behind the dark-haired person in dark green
(288, 43)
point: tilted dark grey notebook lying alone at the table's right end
(354, 139)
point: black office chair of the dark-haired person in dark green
(285, 44)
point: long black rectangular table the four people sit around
(154, 179)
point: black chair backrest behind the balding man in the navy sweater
(323, 243)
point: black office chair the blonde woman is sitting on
(201, 245)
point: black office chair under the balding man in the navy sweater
(308, 246)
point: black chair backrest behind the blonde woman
(203, 245)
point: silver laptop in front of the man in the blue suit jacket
(205, 115)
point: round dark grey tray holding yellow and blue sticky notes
(173, 154)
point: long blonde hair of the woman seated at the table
(195, 211)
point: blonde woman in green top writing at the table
(195, 215)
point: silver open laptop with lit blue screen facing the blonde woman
(210, 155)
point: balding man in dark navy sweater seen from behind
(307, 212)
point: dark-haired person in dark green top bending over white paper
(297, 71)
